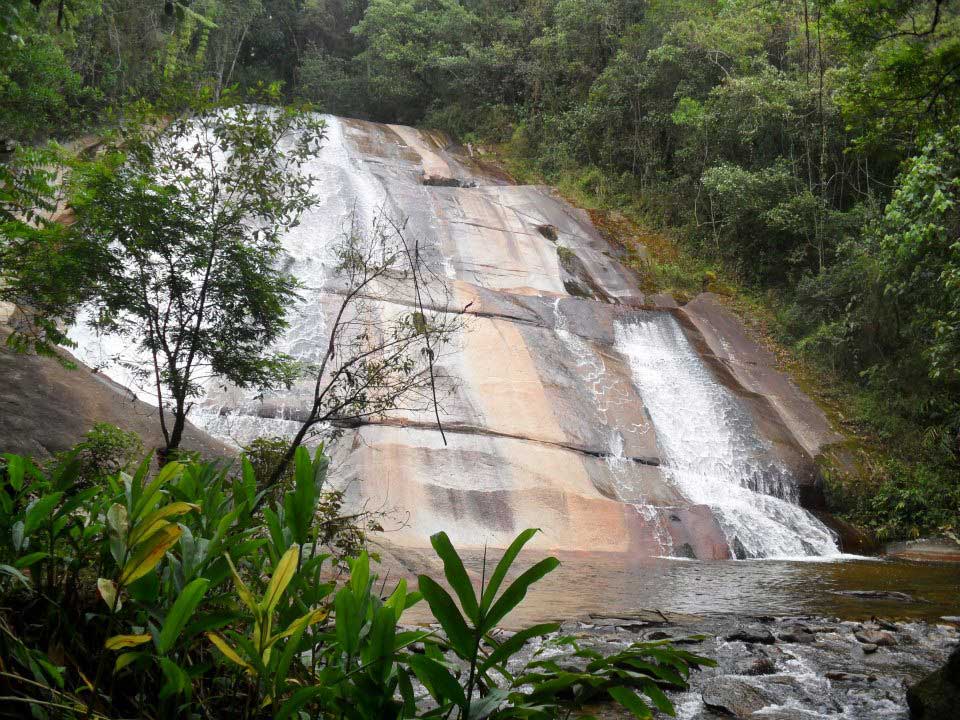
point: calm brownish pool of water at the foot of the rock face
(612, 585)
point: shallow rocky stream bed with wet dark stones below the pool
(829, 677)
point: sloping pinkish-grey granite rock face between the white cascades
(545, 422)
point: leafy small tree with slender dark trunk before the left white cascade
(179, 231)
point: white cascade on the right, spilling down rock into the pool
(712, 450)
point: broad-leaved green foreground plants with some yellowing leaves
(196, 604)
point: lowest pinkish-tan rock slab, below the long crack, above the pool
(483, 490)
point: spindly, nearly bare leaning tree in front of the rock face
(390, 320)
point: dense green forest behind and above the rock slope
(800, 154)
